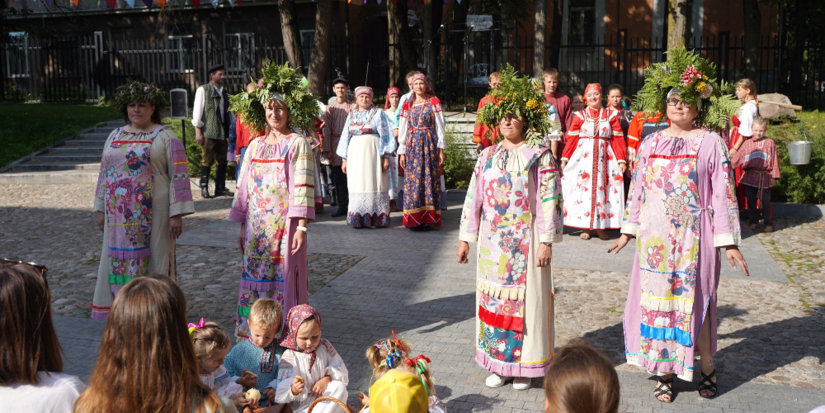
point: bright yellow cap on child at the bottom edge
(398, 392)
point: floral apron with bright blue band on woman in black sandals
(668, 254)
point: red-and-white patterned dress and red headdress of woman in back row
(592, 182)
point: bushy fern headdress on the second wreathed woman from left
(279, 82)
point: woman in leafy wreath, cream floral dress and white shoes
(513, 210)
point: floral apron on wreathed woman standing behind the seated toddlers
(265, 242)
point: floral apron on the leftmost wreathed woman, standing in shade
(129, 185)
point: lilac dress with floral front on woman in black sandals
(682, 210)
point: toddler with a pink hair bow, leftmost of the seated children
(211, 345)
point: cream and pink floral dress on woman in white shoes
(513, 204)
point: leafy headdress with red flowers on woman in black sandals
(693, 78)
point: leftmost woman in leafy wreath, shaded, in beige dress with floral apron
(142, 194)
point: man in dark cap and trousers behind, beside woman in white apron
(334, 119)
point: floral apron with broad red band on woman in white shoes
(504, 248)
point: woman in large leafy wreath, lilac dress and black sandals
(681, 210)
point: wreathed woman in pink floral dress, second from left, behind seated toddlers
(275, 197)
